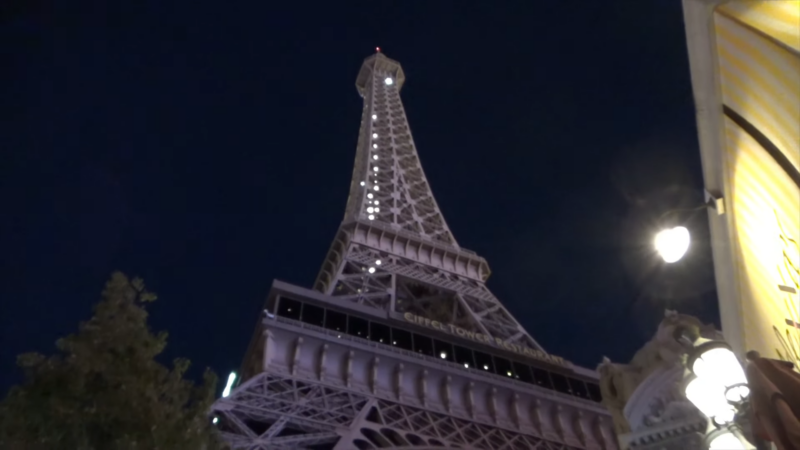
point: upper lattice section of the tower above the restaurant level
(394, 251)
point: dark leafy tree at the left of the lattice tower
(104, 390)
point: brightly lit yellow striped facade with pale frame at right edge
(745, 67)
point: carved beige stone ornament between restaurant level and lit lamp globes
(667, 349)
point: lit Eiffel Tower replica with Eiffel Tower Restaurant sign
(400, 344)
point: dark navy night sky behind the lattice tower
(208, 147)
